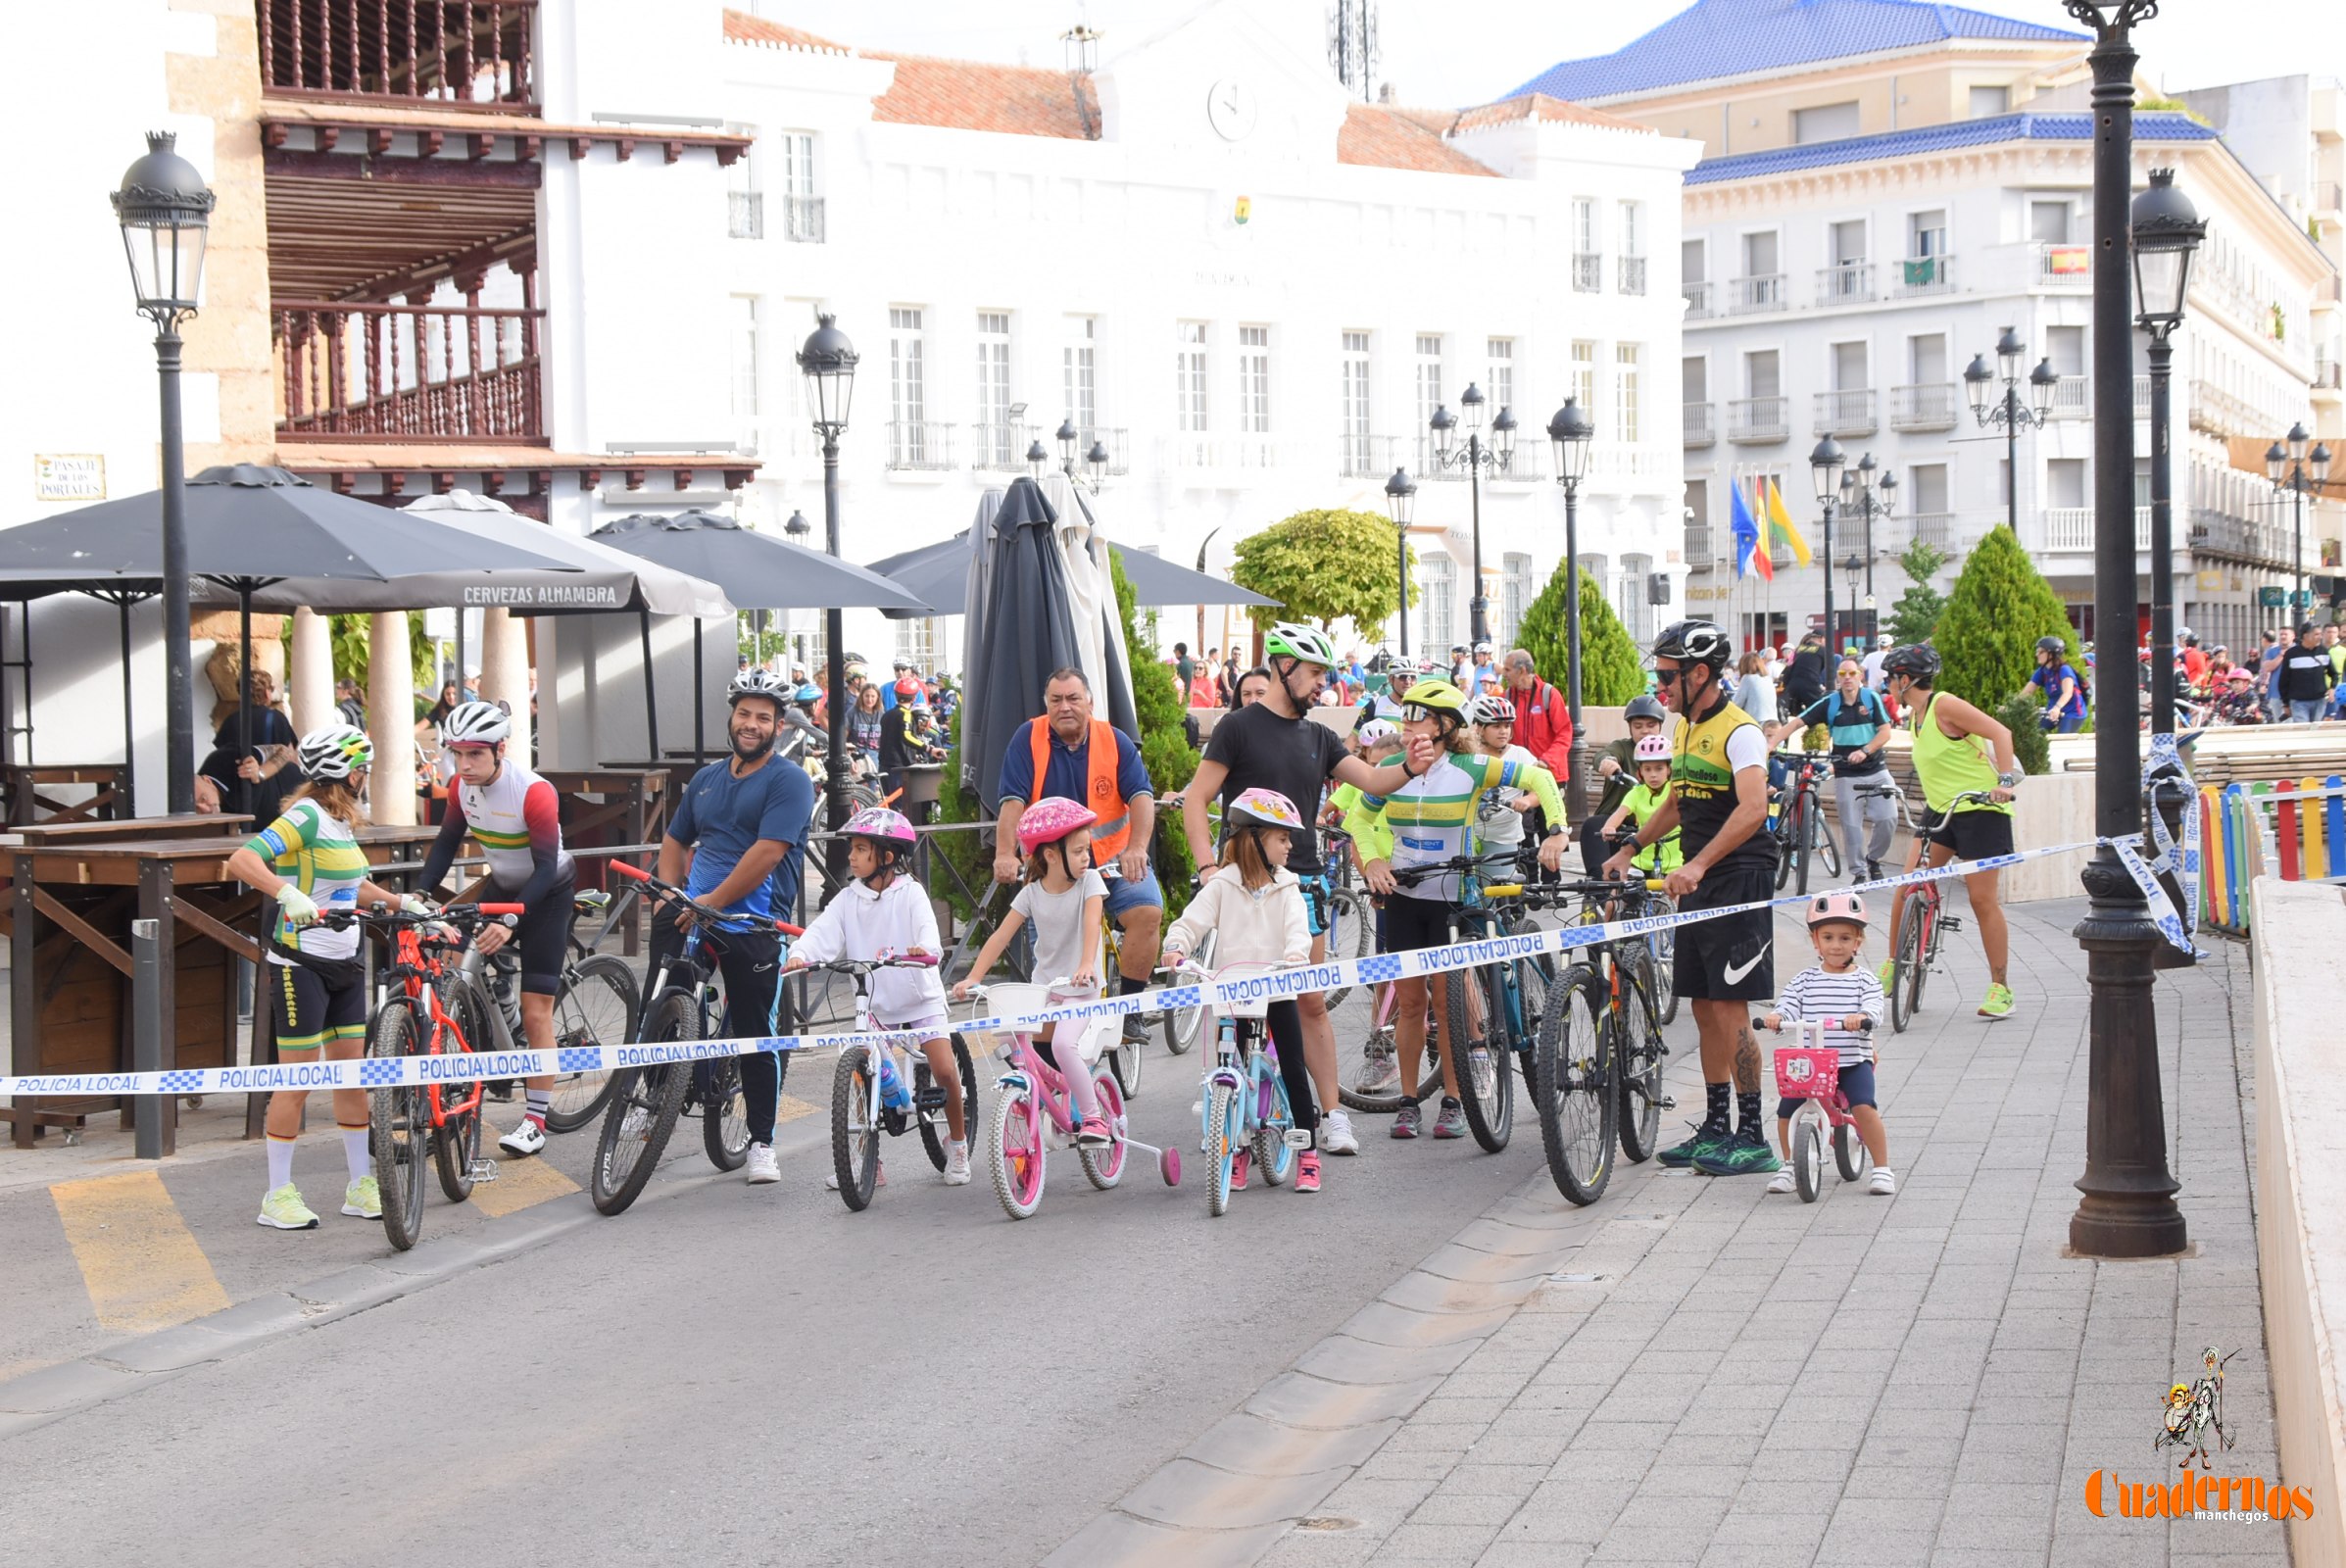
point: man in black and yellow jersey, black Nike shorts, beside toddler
(1725, 966)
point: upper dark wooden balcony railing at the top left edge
(459, 55)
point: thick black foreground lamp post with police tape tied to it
(2127, 1205)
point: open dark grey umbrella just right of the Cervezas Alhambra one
(759, 574)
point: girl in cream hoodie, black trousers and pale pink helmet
(1256, 910)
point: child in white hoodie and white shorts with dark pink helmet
(886, 914)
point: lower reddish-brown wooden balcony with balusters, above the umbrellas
(409, 374)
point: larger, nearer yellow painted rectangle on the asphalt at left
(140, 1259)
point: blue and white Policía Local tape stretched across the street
(1277, 985)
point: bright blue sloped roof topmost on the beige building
(1737, 36)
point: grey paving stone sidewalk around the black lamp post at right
(1695, 1372)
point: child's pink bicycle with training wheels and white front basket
(1036, 1111)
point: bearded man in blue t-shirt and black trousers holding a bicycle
(738, 842)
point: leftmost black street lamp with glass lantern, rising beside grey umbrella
(165, 210)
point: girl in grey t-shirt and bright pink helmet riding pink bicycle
(1062, 900)
